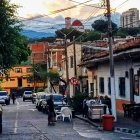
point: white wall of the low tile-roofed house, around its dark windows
(120, 68)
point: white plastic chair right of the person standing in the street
(66, 113)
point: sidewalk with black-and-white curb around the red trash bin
(125, 125)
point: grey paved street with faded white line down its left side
(23, 122)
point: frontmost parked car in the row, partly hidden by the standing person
(58, 102)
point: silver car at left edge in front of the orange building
(4, 98)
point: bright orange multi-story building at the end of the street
(18, 80)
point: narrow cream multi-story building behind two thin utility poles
(74, 71)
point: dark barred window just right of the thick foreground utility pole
(122, 86)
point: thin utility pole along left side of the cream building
(67, 71)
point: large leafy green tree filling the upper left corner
(13, 46)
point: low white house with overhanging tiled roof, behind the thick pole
(127, 70)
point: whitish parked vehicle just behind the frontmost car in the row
(40, 96)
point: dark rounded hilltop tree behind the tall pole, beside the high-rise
(102, 26)
